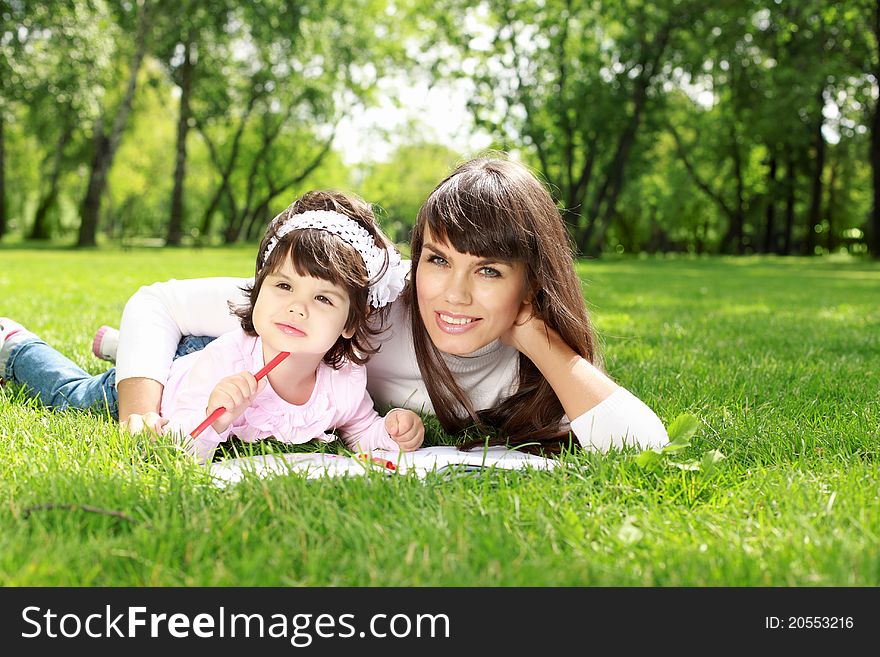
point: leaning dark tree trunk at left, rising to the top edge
(106, 146)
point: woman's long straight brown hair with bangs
(496, 208)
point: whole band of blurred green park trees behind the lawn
(672, 125)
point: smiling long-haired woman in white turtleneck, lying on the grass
(492, 331)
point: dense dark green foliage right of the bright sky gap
(591, 94)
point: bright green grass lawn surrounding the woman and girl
(779, 360)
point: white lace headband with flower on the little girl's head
(383, 289)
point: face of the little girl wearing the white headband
(300, 314)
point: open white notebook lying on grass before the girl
(441, 460)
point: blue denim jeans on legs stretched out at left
(59, 383)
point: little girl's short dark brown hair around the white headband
(325, 255)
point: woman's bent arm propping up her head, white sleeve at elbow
(603, 414)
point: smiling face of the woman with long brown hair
(465, 301)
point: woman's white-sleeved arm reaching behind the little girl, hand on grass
(154, 320)
